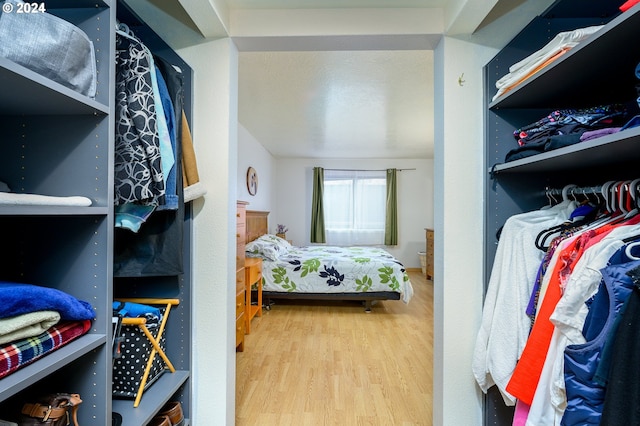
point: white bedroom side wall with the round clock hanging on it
(252, 154)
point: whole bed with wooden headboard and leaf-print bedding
(321, 272)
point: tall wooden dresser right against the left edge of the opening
(241, 232)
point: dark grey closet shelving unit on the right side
(599, 71)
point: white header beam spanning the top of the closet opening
(336, 29)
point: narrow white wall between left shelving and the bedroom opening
(214, 128)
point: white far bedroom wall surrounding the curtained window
(415, 200)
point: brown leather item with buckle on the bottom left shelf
(56, 409)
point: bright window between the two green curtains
(354, 207)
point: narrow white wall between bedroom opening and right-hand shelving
(459, 224)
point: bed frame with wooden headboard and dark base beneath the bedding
(258, 225)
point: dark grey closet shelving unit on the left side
(59, 142)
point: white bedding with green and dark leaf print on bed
(324, 269)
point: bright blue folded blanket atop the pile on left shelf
(18, 298)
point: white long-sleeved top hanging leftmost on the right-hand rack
(505, 325)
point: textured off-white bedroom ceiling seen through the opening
(341, 104)
